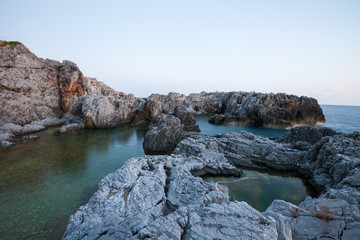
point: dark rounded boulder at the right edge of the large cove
(165, 132)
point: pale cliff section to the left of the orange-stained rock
(29, 88)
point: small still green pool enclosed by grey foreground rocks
(261, 189)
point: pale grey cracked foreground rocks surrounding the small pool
(163, 197)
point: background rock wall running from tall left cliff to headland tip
(33, 89)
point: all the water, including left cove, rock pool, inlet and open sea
(44, 181)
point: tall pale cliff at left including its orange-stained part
(32, 88)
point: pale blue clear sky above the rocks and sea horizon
(308, 48)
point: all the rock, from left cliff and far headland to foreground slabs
(165, 196)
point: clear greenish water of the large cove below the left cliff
(45, 181)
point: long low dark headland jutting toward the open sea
(247, 108)
